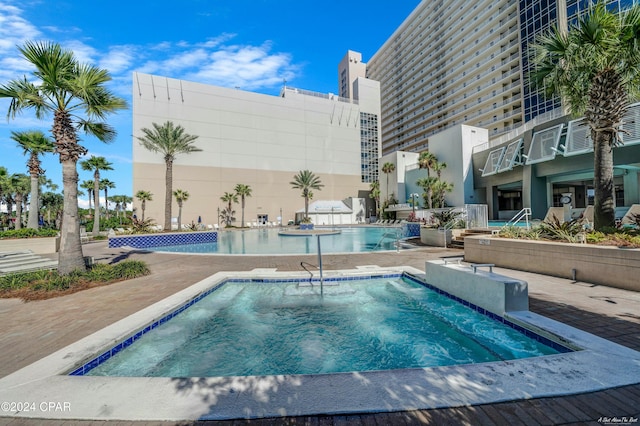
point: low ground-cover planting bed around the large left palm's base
(40, 285)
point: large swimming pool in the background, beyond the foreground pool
(267, 241)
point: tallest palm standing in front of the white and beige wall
(169, 141)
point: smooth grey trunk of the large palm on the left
(70, 256)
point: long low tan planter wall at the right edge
(611, 266)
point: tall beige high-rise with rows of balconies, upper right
(460, 62)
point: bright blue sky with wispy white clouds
(250, 44)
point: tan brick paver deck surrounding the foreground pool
(27, 337)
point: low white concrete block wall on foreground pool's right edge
(493, 292)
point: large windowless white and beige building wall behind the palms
(248, 138)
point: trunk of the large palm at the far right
(604, 205)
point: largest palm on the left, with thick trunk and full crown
(76, 95)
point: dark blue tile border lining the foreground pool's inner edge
(93, 363)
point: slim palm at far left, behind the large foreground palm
(33, 143)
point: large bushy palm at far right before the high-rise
(595, 69)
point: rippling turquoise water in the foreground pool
(244, 329)
